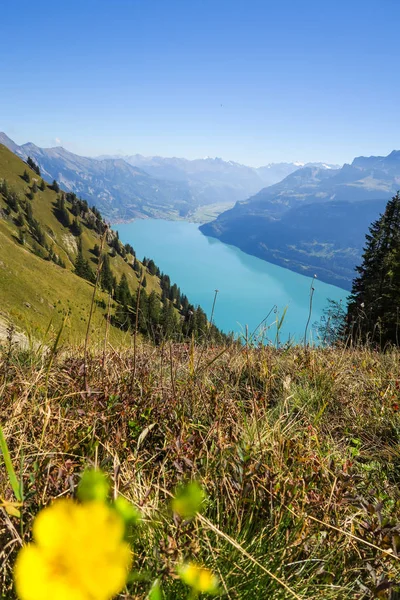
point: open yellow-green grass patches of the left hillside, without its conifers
(35, 292)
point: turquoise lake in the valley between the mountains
(249, 287)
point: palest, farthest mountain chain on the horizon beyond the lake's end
(213, 180)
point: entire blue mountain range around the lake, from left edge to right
(311, 218)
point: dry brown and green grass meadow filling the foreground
(297, 449)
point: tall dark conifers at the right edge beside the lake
(374, 306)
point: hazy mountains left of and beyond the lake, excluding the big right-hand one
(128, 187)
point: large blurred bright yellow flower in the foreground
(78, 554)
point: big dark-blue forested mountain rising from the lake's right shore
(315, 220)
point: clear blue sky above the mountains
(254, 81)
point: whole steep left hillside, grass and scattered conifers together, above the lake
(47, 238)
